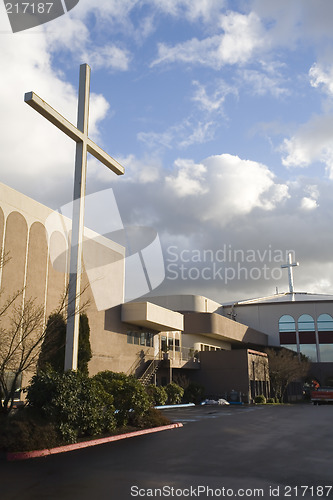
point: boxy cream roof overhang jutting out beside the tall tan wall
(151, 316)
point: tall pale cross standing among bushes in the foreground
(84, 145)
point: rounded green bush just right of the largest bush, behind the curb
(129, 395)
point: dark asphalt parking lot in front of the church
(258, 452)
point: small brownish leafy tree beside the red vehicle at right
(285, 367)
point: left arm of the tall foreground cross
(53, 116)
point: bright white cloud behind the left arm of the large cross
(37, 158)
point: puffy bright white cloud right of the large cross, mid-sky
(226, 187)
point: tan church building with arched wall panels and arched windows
(157, 339)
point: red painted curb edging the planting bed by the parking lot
(24, 455)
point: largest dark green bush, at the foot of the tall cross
(77, 405)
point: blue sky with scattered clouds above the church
(221, 113)
